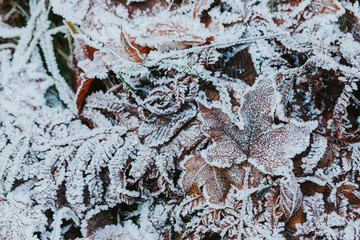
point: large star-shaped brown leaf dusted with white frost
(267, 146)
